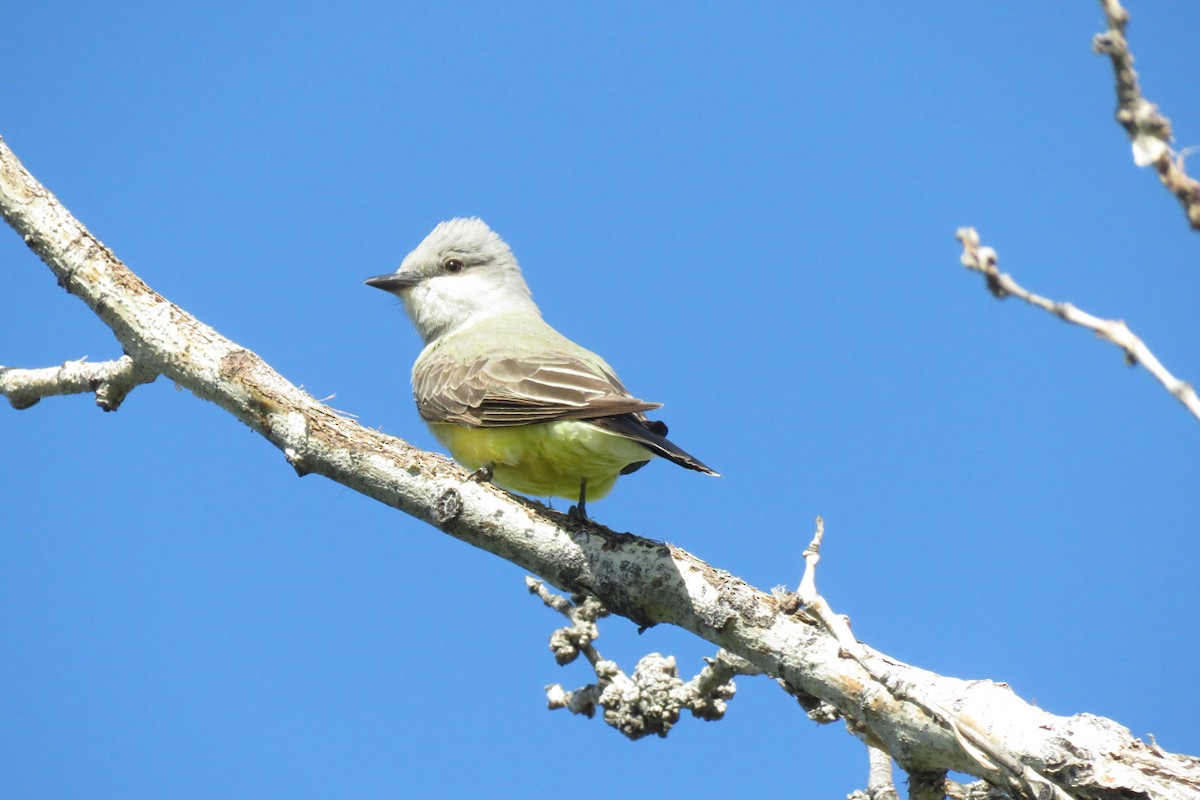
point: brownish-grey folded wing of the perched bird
(499, 388)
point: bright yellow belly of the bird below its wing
(545, 460)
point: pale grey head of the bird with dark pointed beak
(463, 273)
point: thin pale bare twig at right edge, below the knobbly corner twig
(1001, 285)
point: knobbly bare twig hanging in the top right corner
(1148, 129)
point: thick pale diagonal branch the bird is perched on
(645, 581)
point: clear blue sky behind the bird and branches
(751, 213)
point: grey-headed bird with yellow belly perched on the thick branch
(506, 393)
